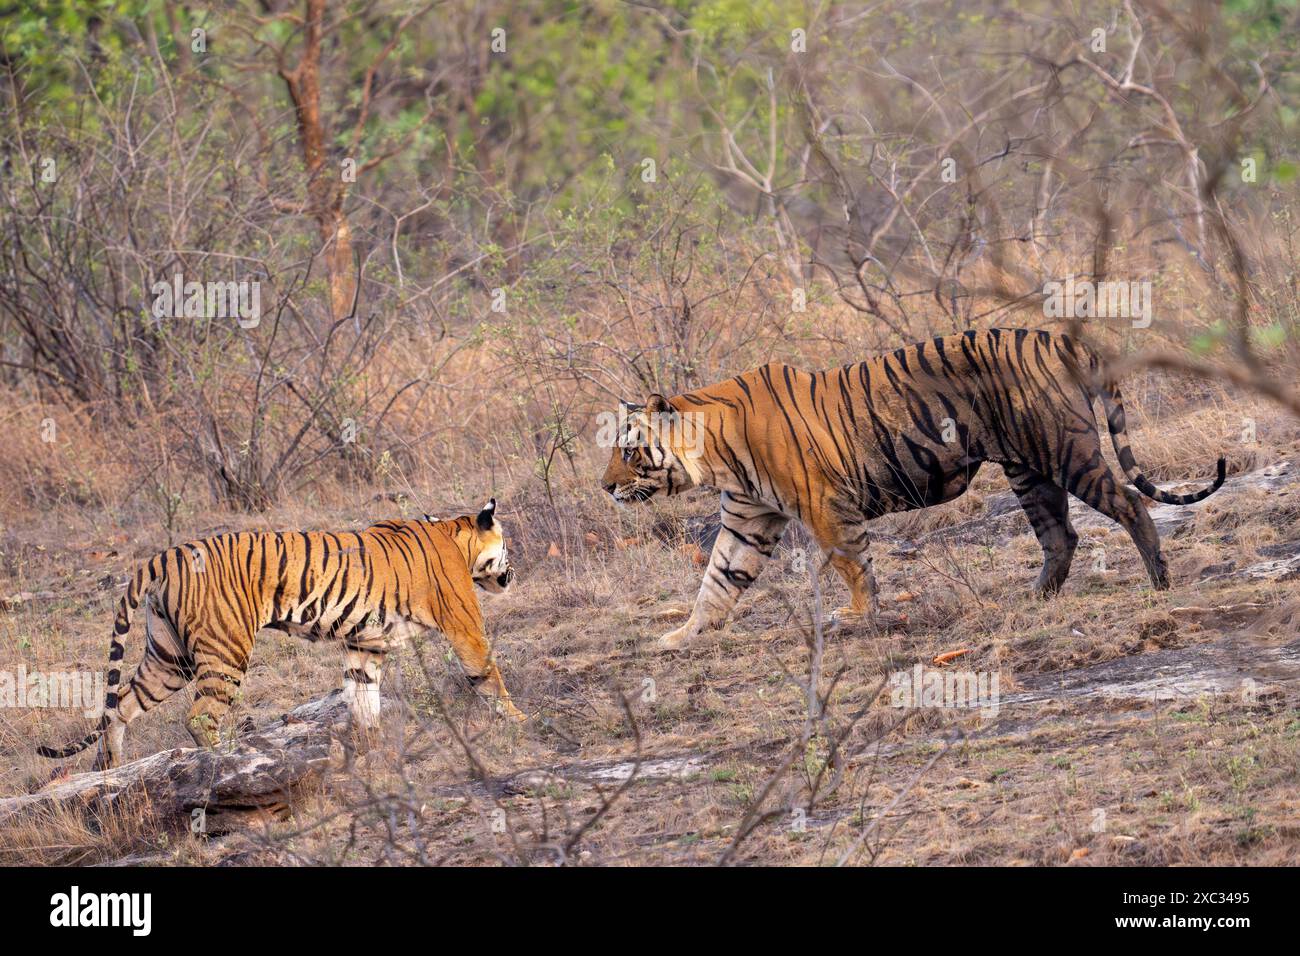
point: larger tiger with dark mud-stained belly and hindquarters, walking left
(898, 432)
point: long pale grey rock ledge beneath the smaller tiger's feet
(253, 777)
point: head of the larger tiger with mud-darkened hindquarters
(649, 455)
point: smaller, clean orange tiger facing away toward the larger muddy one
(371, 590)
